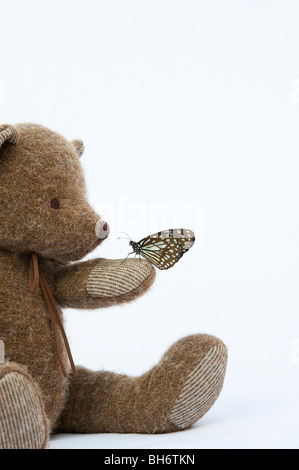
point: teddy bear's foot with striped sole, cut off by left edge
(23, 421)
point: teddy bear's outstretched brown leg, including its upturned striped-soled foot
(172, 396)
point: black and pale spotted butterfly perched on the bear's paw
(164, 249)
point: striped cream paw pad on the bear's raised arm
(117, 277)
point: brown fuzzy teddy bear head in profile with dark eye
(43, 203)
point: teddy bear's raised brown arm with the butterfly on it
(102, 283)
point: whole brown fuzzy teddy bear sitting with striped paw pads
(47, 227)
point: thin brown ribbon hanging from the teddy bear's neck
(36, 278)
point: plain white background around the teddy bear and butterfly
(194, 105)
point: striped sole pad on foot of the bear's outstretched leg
(201, 389)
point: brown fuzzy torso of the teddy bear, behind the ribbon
(27, 331)
